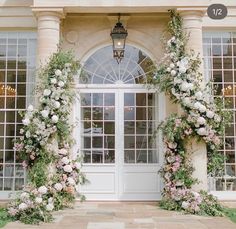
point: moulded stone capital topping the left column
(41, 11)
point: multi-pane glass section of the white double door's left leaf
(98, 126)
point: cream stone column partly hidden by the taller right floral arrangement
(192, 23)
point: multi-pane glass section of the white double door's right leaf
(139, 128)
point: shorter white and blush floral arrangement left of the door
(53, 174)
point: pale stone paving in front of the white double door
(126, 215)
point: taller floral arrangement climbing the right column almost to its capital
(202, 119)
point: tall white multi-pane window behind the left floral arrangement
(17, 69)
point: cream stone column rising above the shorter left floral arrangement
(48, 33)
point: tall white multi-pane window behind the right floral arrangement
(220, 67)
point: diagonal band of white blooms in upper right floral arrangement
(188, 89)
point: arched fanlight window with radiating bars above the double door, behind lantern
(102, 68)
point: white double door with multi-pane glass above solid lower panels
(121, 157)
